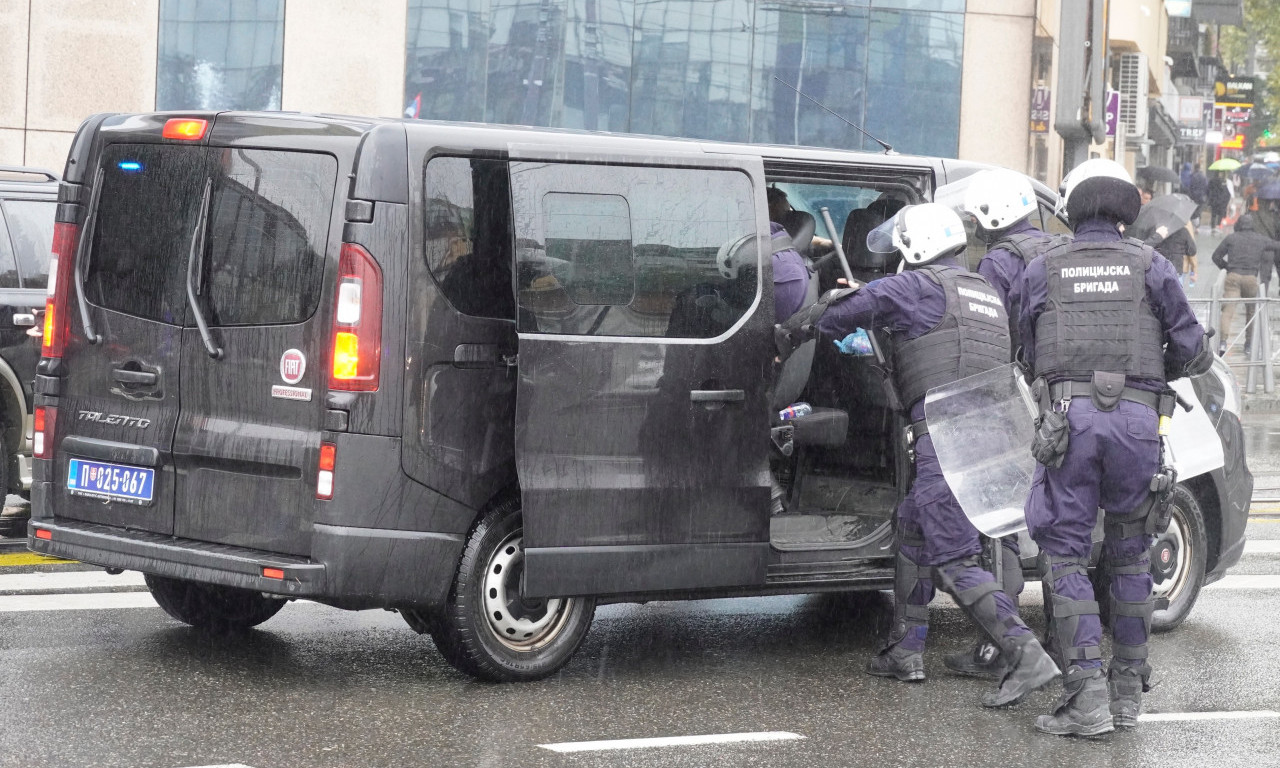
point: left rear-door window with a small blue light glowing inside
(147, 218)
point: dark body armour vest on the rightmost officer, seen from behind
(1098, 317)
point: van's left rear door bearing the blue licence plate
(120, 396)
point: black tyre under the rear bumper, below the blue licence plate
(217, 610)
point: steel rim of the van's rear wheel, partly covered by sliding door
(518, 624)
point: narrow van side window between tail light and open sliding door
(468, 235)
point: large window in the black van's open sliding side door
(634, 252)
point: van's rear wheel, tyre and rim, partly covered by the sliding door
(487, 628)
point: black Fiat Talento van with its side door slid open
(488, 377)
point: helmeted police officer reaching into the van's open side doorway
(938, 339)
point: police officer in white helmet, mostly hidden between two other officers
(1002, 204)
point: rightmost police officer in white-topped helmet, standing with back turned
(1104, 324)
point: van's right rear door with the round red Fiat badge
(248, 442)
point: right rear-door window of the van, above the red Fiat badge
(269, 227)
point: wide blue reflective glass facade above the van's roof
(719, 70)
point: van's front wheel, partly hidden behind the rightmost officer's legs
(1178, 563)
